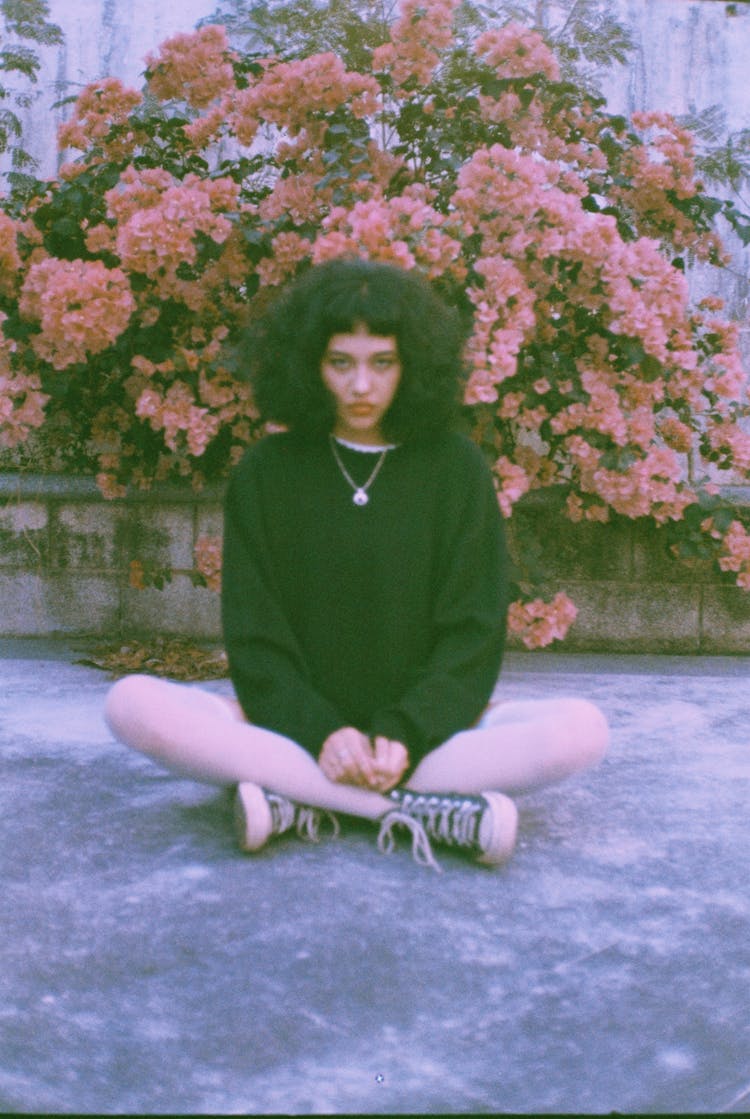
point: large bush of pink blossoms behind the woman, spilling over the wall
(559, 231)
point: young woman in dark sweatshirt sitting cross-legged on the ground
(364, 594)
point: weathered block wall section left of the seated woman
(65, 558)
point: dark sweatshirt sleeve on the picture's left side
(267, 664)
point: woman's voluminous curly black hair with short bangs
(284, 352)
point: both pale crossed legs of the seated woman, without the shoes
(517, 747)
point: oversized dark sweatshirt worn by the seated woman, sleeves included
(388, 617)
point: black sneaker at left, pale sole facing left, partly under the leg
(260, 815)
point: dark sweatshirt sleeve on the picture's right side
(470, 622)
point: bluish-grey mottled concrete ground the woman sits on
(148, 967)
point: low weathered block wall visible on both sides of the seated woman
(65, 557)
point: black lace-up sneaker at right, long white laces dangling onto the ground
(484, 826)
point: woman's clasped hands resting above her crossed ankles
(349, 757)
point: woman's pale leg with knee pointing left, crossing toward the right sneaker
(207, 738)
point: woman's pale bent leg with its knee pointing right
(517, 747)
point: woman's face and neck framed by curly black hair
(363, 373)
